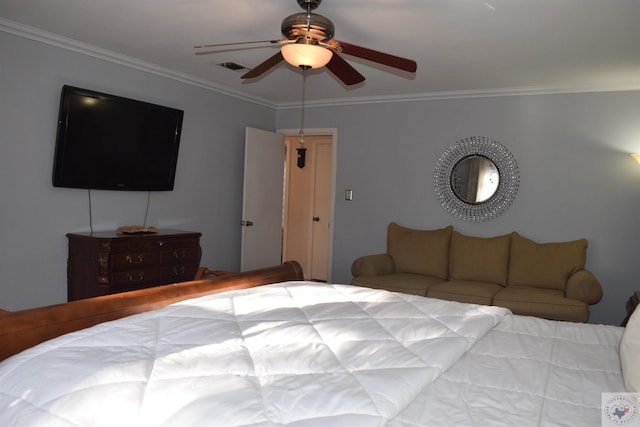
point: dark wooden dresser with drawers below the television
(103, 263)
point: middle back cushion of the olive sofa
(480, 259)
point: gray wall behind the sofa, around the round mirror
(577, 179)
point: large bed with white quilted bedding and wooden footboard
(267, 348)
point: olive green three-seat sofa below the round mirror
(546, 280)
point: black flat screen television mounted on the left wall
(108, 142)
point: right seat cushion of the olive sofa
(545, 303)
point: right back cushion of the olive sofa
(545, 265)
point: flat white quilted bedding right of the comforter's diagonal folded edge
(525, 372)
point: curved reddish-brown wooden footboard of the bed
(23, 329)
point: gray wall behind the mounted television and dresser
(35, 216)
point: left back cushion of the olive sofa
(419, 251)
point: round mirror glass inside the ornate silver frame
(475, 179)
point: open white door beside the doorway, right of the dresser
(264, 156)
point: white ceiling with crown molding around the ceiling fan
(462, 47)
